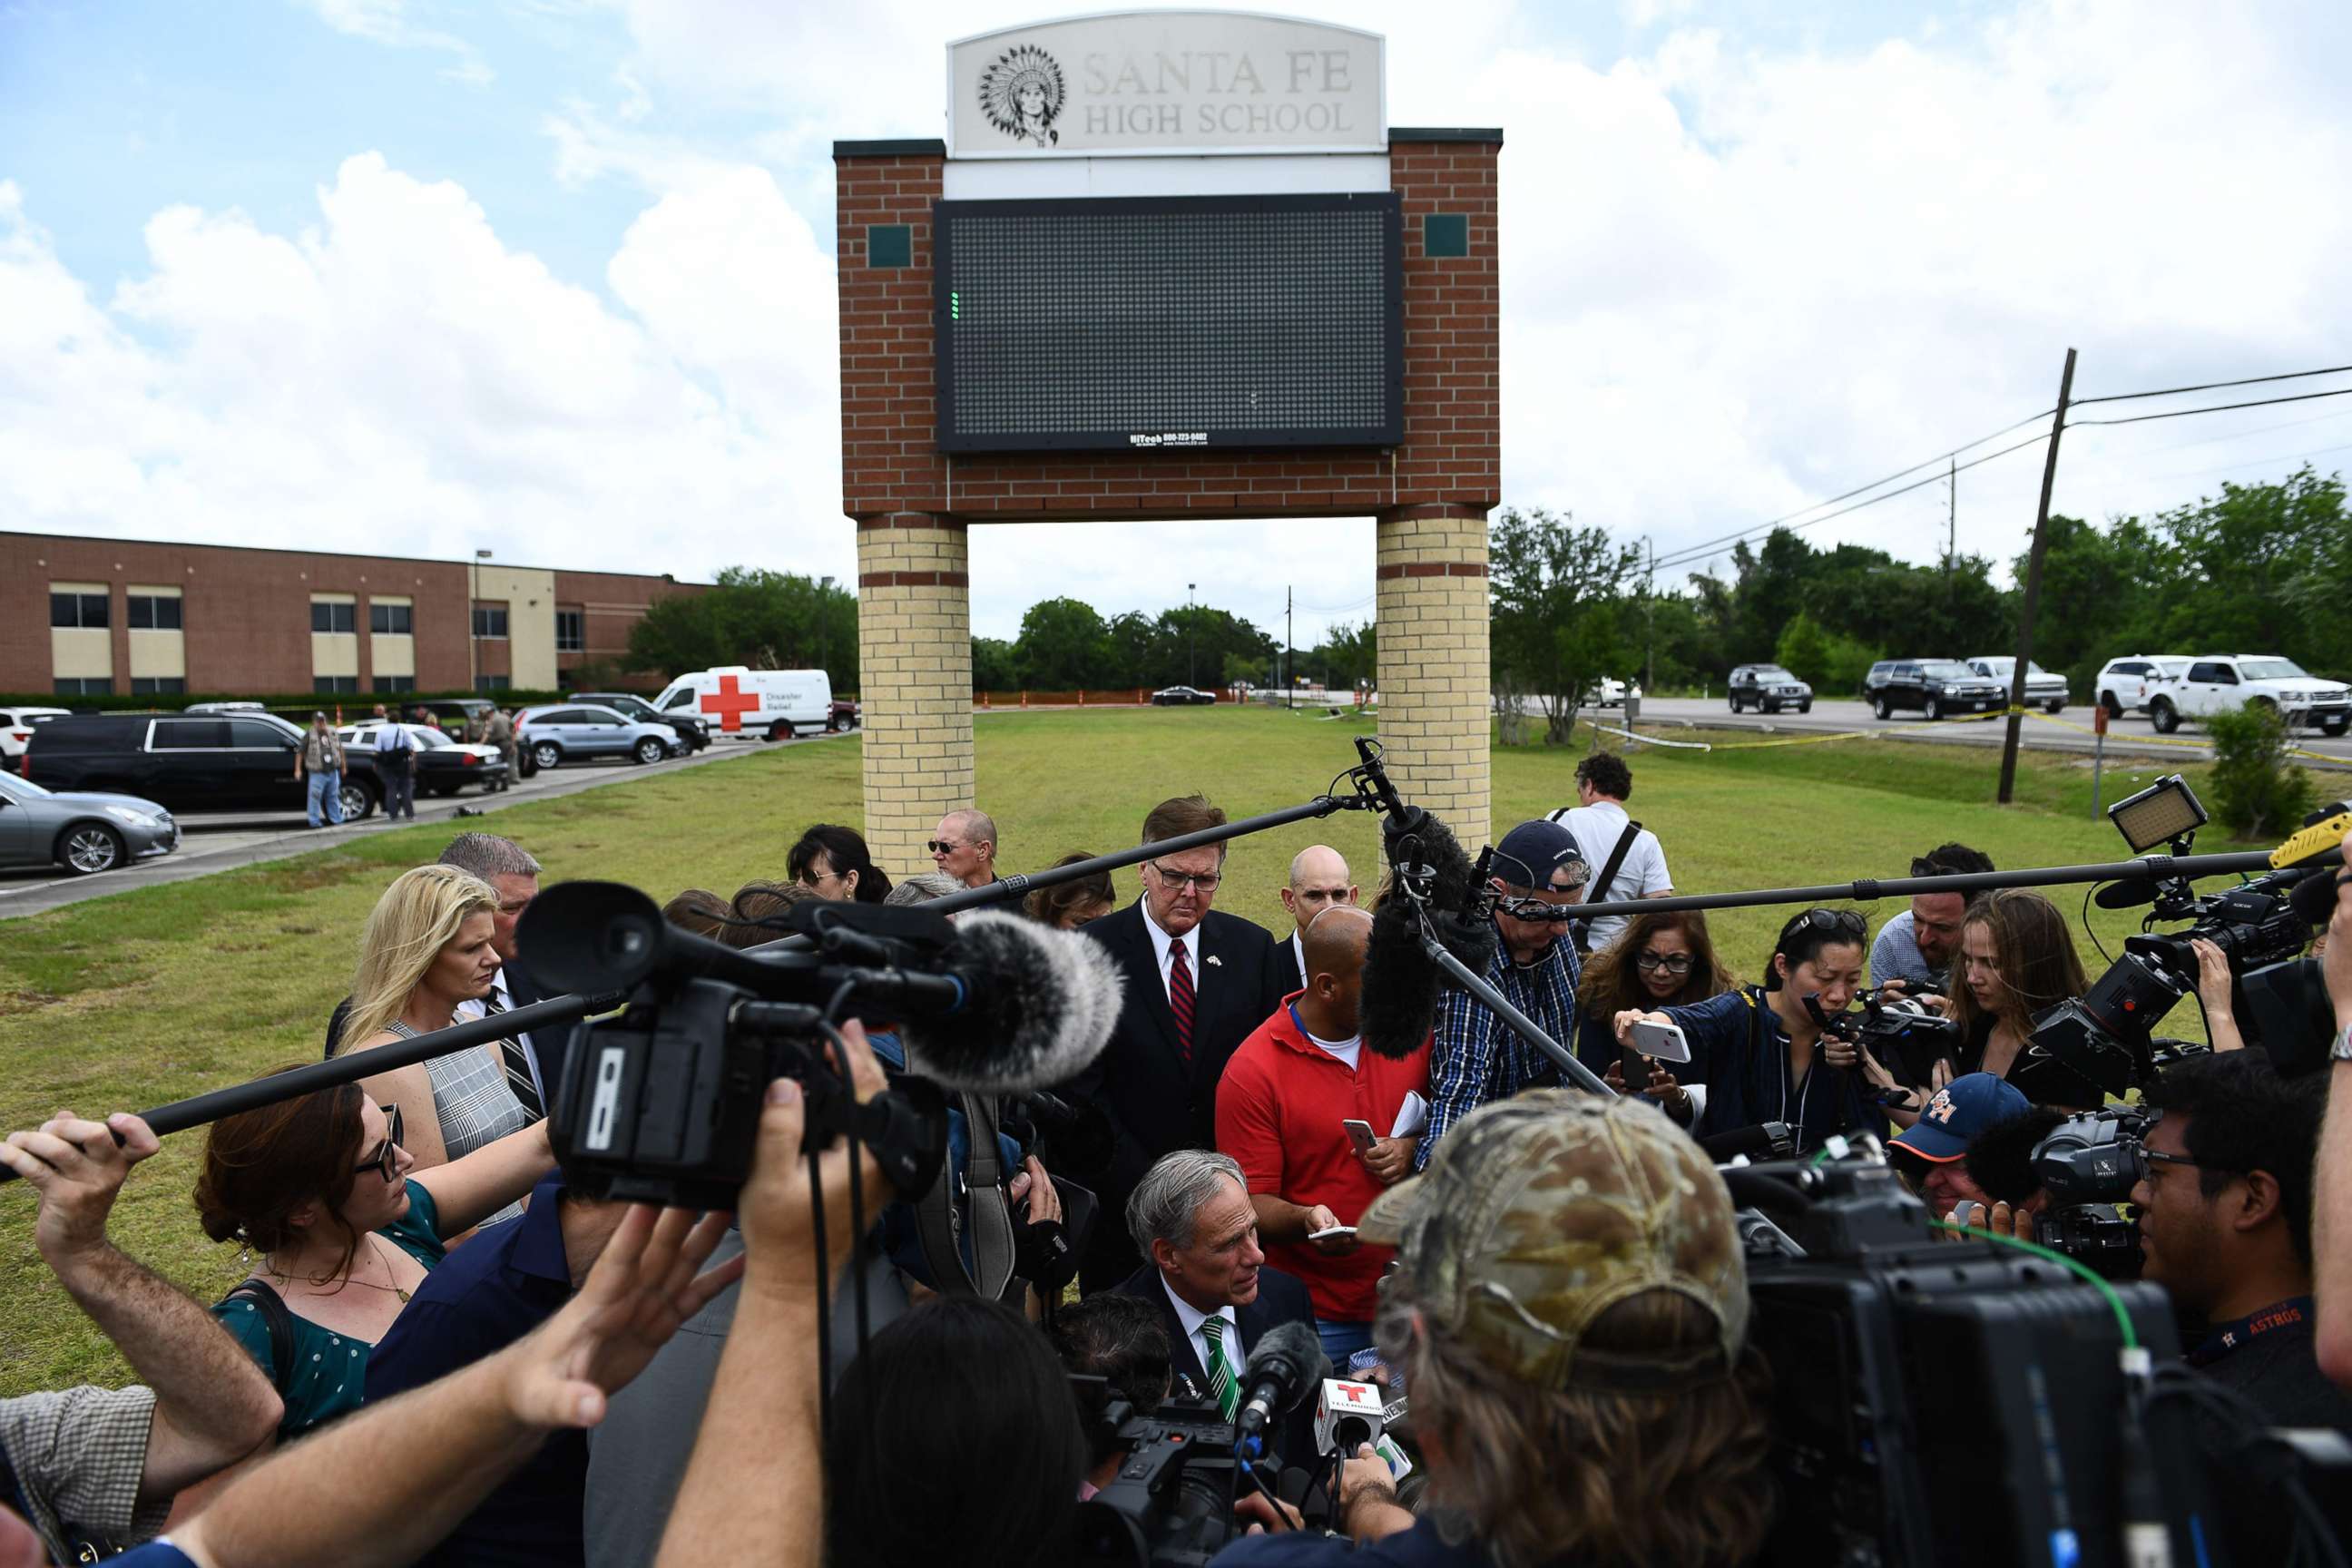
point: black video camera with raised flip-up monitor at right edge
(2261, 930)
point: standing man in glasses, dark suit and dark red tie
(1198, 984)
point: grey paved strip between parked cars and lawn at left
(222, 840)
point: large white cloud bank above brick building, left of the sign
(396, 377)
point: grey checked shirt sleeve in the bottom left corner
(79, 1461)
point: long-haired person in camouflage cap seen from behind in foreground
(1575, 1348)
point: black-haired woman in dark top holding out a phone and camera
(1758, 1050)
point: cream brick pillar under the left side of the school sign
(914, 681)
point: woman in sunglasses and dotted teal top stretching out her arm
(345, 1226)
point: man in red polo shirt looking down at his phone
(1281, 1113)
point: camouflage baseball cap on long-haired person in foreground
(1539, 1214)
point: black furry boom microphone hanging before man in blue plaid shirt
(1401, 981)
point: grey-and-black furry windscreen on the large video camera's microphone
(1041, 1007)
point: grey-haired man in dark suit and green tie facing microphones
(1217, 1299)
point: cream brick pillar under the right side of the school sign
(1434, 662)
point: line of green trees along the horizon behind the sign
(2257, 570)
